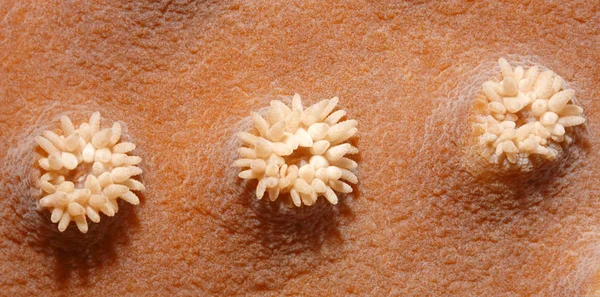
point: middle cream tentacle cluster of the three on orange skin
(299, 151)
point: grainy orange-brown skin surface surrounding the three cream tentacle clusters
(181, 77)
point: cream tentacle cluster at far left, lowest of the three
(85, 171)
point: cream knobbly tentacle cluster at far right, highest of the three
(528, 113)
